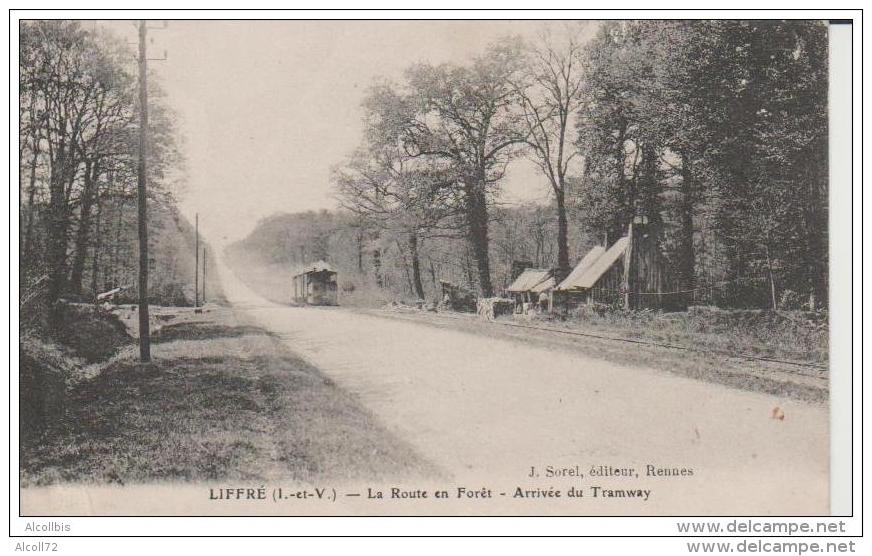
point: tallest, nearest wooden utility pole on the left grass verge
(144, 334)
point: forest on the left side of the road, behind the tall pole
(78, 151)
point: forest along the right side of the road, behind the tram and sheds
(714, 132)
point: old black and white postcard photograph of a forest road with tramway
(426, 267)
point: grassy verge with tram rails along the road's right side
(704, 361)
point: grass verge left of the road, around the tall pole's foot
(223, 400)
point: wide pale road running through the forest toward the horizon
(487, 410)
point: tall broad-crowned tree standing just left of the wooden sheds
(467, 116)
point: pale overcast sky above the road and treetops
(267, 107)
